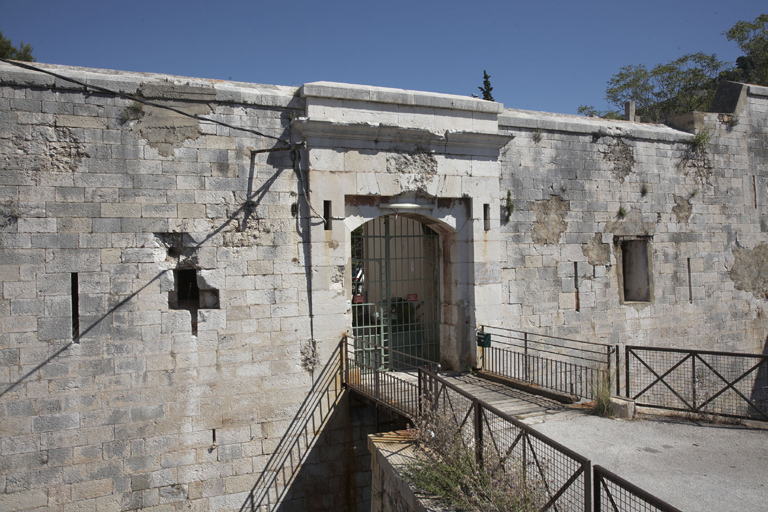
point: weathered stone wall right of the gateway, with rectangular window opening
(581, 188)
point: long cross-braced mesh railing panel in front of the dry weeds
(564, 475)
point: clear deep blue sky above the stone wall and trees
(550, 55)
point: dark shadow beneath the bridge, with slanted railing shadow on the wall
(322, 462)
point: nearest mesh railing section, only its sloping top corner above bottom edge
(614, 494)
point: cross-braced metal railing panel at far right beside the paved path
(699, 381)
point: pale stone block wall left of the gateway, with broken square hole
(169, 391)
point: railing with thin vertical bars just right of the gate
(565, 365)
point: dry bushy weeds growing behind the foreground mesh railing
(445, 466)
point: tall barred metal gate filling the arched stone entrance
(395, 293)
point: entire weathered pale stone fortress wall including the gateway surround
(209, 292)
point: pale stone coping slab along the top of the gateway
(398, 96)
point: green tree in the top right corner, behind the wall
(752, 39)
